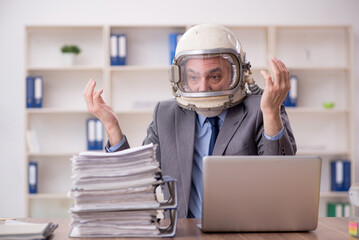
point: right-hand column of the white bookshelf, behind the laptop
(322, 59)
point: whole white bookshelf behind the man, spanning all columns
(321, 57)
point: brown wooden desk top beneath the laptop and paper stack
(328, 229)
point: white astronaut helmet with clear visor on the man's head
(207, 73)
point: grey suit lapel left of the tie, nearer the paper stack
(185, 131)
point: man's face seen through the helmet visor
(208, 74)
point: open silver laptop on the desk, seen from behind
(260, 193)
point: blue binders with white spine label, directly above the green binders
(340, 175)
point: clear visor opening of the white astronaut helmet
(208, 73)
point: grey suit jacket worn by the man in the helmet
(173, 129)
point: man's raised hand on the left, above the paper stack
(97, 106)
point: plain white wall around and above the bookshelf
(15, 14)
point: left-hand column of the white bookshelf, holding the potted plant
(60, 124)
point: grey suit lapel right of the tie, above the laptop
(233, 120)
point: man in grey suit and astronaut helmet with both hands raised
(208, 77)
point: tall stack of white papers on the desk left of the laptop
(114, 193)
